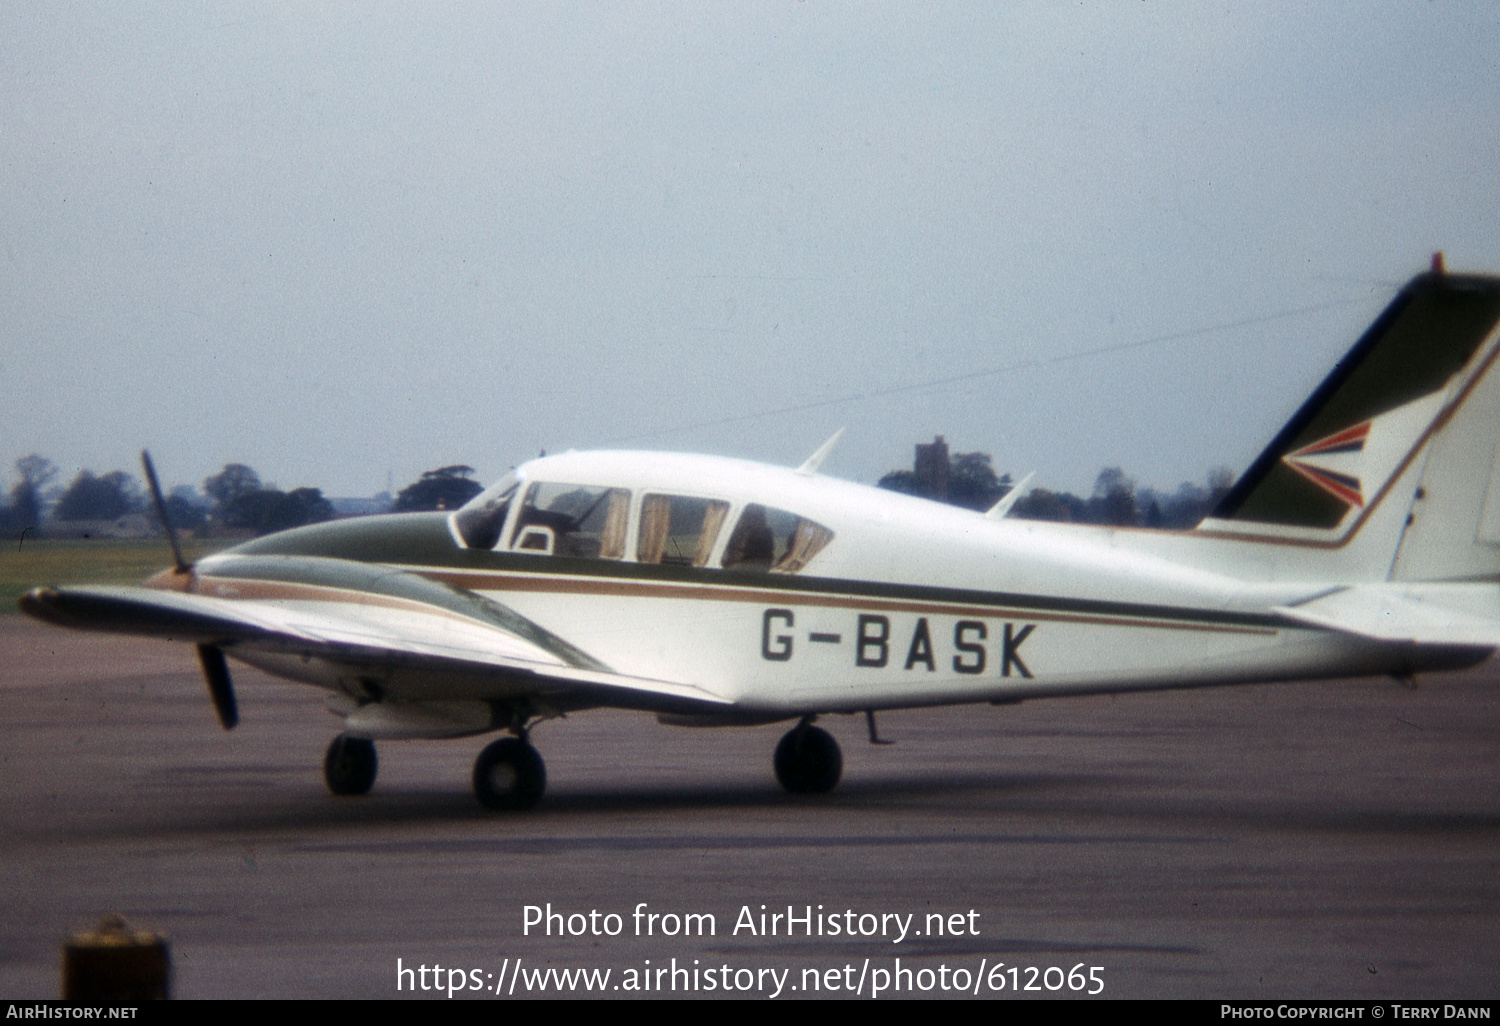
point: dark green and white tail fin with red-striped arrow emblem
(1391, 467)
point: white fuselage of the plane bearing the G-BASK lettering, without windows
(911, 604)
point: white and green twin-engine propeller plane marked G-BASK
(713, 592)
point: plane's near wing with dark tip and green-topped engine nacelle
(421, 640)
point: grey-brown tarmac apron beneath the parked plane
(1307, 841)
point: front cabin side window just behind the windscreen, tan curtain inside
(574, 521)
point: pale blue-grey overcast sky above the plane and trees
(338, 242)
